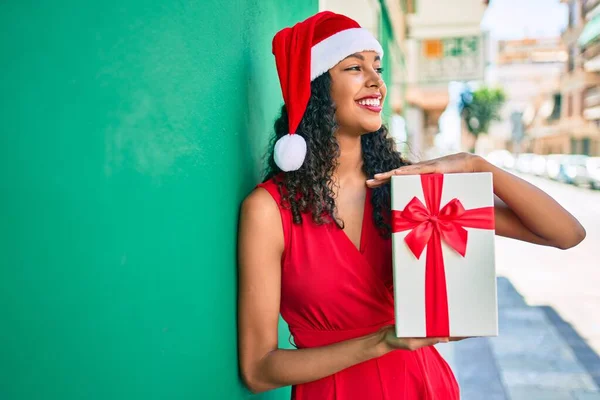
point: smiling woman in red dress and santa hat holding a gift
(314, 238)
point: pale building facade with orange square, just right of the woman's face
(445, 43)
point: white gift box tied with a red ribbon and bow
(443, 255)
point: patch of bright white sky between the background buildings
(517, 19)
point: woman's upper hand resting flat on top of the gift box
(460, 162)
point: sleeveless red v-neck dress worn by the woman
(331, 291)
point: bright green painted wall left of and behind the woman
(131, 131)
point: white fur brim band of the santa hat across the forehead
(327, 53)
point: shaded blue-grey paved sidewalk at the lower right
(537, 356)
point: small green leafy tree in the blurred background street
(480, 108)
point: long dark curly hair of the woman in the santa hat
(310, 188)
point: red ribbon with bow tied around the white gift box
(429, 226)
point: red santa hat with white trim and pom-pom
(302, 53)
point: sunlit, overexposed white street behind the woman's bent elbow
(566, 280)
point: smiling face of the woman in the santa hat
(358, 92)
